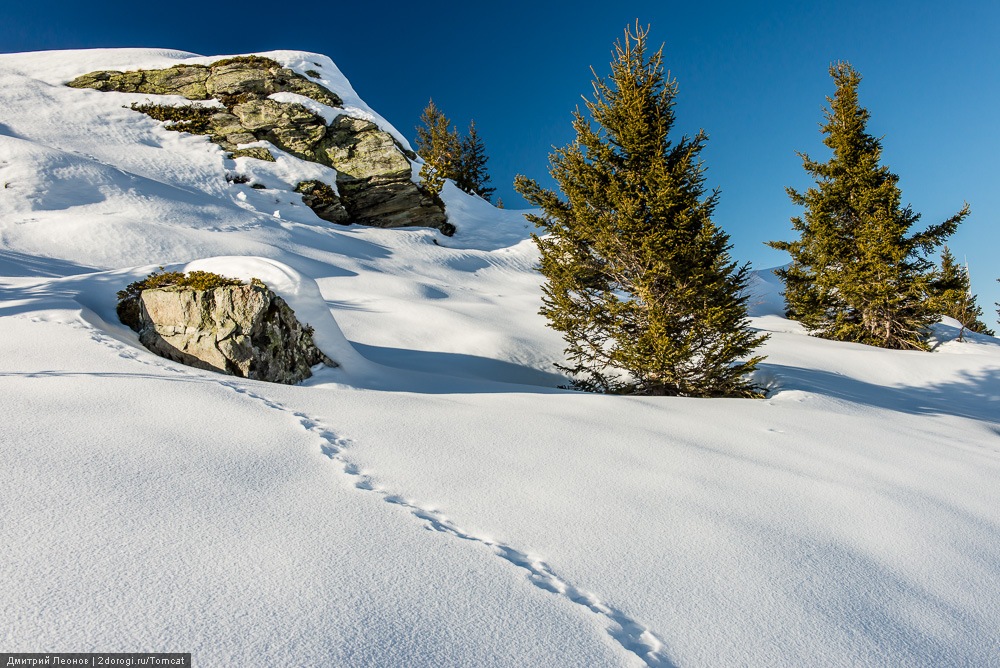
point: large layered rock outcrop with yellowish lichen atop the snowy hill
(373, 170)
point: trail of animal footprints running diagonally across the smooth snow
(632, 635)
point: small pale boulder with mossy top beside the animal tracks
(243, 330)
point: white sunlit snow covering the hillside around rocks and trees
(437, 500)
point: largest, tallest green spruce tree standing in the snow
(638, 278)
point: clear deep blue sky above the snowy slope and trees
(753, 75)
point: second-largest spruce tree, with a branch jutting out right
(857, 272)
